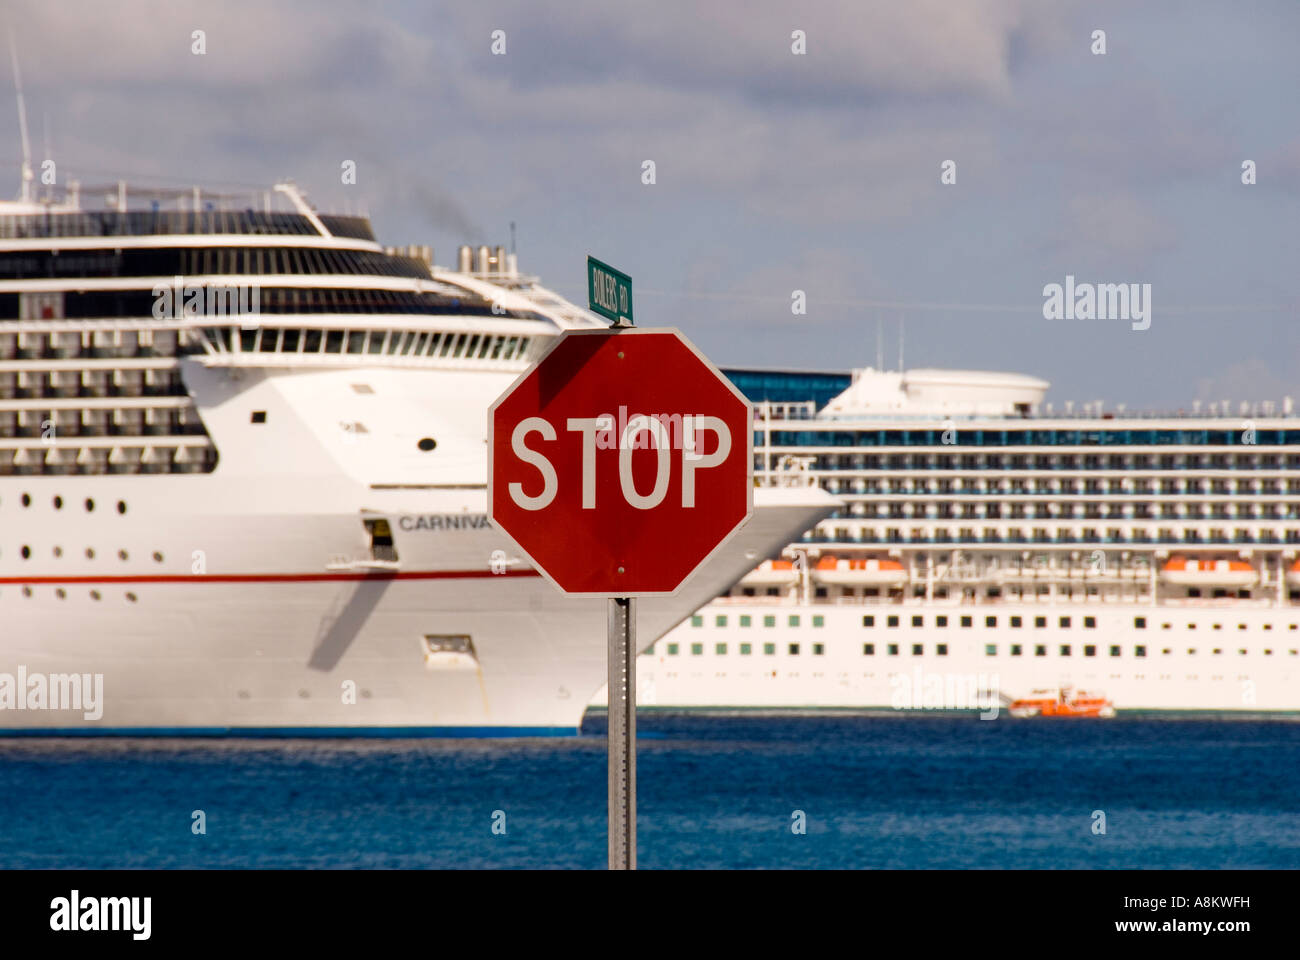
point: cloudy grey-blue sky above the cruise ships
(774, 171)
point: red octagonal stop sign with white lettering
(621, 462)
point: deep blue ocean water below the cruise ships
(714, 792)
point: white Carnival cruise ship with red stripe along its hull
(242, 479)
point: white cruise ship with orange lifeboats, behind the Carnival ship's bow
(990, 544)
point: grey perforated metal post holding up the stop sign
(623, 733)
